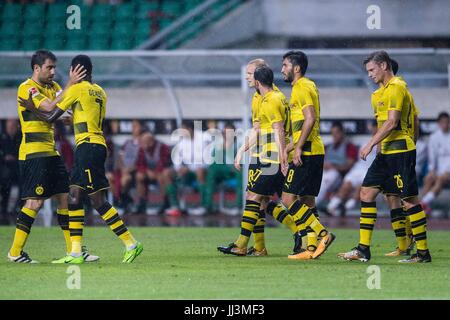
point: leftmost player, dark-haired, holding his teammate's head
(42, 171)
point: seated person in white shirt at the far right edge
(438, 161)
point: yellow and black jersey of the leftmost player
(38, 136)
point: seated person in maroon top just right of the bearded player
(340, 156)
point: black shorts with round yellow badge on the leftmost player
(41, 178)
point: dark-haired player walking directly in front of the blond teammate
(266, 173)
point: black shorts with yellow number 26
(394, 174)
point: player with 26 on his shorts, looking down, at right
(393, 170)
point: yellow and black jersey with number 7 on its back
(88, 102)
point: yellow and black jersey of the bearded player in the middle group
(305, 93)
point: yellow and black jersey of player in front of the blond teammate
(273, 108)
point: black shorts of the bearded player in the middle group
(305, 180)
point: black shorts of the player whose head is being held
(88, 172)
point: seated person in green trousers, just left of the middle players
(222, 168)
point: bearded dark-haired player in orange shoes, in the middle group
(302, 183)
